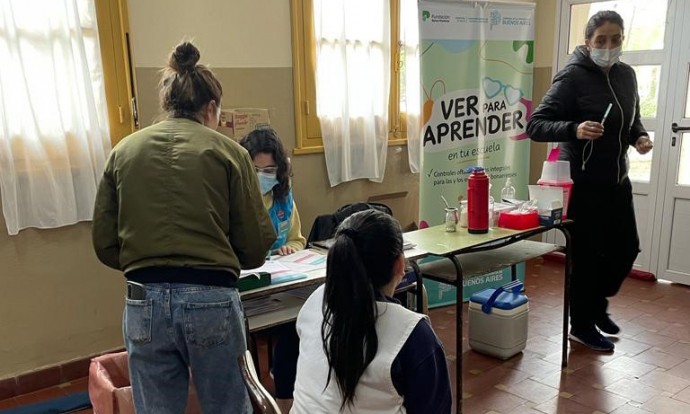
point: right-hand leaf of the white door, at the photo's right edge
(674, 217)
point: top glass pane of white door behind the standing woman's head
(644, 21)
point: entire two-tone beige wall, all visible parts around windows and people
(57, 302)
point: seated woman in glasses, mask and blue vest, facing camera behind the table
(273, 168)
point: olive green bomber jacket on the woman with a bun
(180, 194)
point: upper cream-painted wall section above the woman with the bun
(230, 33)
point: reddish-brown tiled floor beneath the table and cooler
(648, 373)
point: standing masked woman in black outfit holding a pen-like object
(605, 240)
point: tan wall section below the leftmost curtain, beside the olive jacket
(57, 302)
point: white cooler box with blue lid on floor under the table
(498, 321)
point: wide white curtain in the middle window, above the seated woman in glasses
(352, 86)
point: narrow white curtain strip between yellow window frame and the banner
(411, 81)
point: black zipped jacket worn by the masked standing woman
(581, 92)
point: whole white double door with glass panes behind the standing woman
(657, 47)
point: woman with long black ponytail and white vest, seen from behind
(359, 350)
